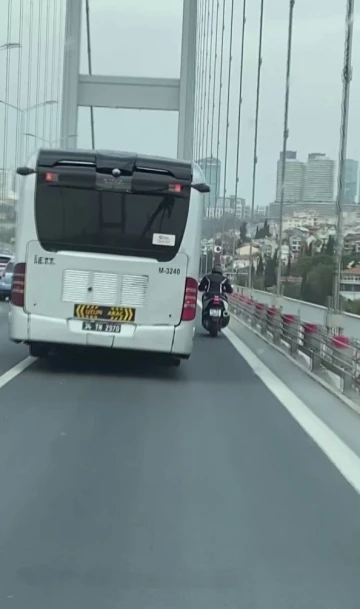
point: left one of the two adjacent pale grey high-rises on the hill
(294, 178)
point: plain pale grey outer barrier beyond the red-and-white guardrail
(308, 312)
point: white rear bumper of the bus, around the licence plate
(161, 339)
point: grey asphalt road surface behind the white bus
(127, 486)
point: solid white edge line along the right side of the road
(344, 459)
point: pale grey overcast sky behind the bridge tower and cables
(144, 39)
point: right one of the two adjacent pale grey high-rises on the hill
(319, 178)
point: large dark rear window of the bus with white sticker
(87, 220)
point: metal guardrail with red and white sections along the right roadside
(333, 359)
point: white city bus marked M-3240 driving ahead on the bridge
(107, 252)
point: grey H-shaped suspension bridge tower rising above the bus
(102, 91)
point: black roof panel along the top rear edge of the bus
(128, 162)
